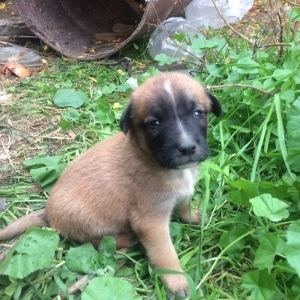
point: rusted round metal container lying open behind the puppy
(94, 29)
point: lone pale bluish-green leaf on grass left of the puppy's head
(70, 97)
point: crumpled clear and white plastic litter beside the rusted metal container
(198, 13)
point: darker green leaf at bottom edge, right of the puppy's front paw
(261, 283)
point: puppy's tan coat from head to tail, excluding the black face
(117, 188)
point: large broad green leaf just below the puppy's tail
(33, 252)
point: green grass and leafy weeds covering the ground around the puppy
(247, 247)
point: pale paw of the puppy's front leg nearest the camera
(177, 285)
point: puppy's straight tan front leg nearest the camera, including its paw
(155, 236)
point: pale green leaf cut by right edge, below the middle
(293, 246)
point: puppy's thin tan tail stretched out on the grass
(35, 219)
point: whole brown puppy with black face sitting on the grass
(128, 185)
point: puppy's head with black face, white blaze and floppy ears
(167, 116)
